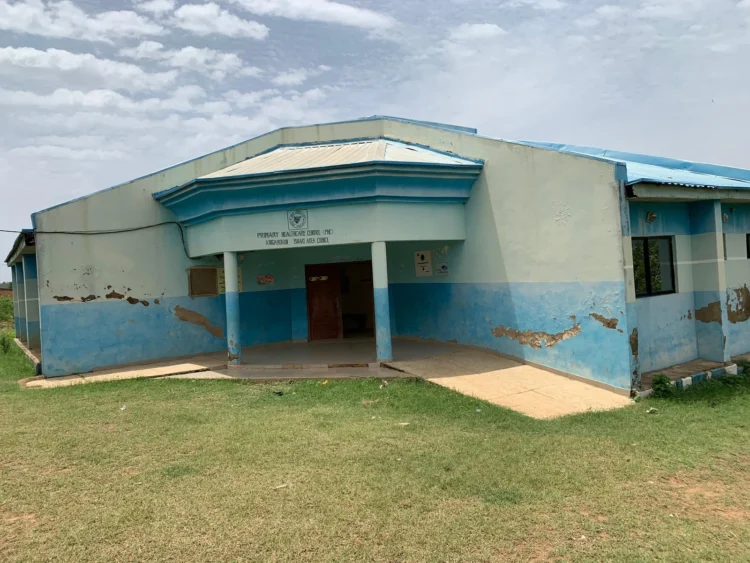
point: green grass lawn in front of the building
(231, 471)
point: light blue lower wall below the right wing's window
(666, 330)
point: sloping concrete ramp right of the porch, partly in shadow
(532, 391)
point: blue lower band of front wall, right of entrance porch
(468, 313)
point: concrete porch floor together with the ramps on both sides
(529, 390)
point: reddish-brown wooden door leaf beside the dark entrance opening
(323, 283)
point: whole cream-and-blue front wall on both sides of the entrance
(540, 275)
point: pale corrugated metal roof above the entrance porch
(337, 154)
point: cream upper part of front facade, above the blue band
(534, 216)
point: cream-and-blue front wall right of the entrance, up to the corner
(541, 274)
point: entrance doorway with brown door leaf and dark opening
(340, 300)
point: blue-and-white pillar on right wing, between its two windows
(709, 280)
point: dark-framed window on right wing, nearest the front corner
(653, 266)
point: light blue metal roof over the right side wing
(660, 170)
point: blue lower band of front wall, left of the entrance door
(79, 337)
